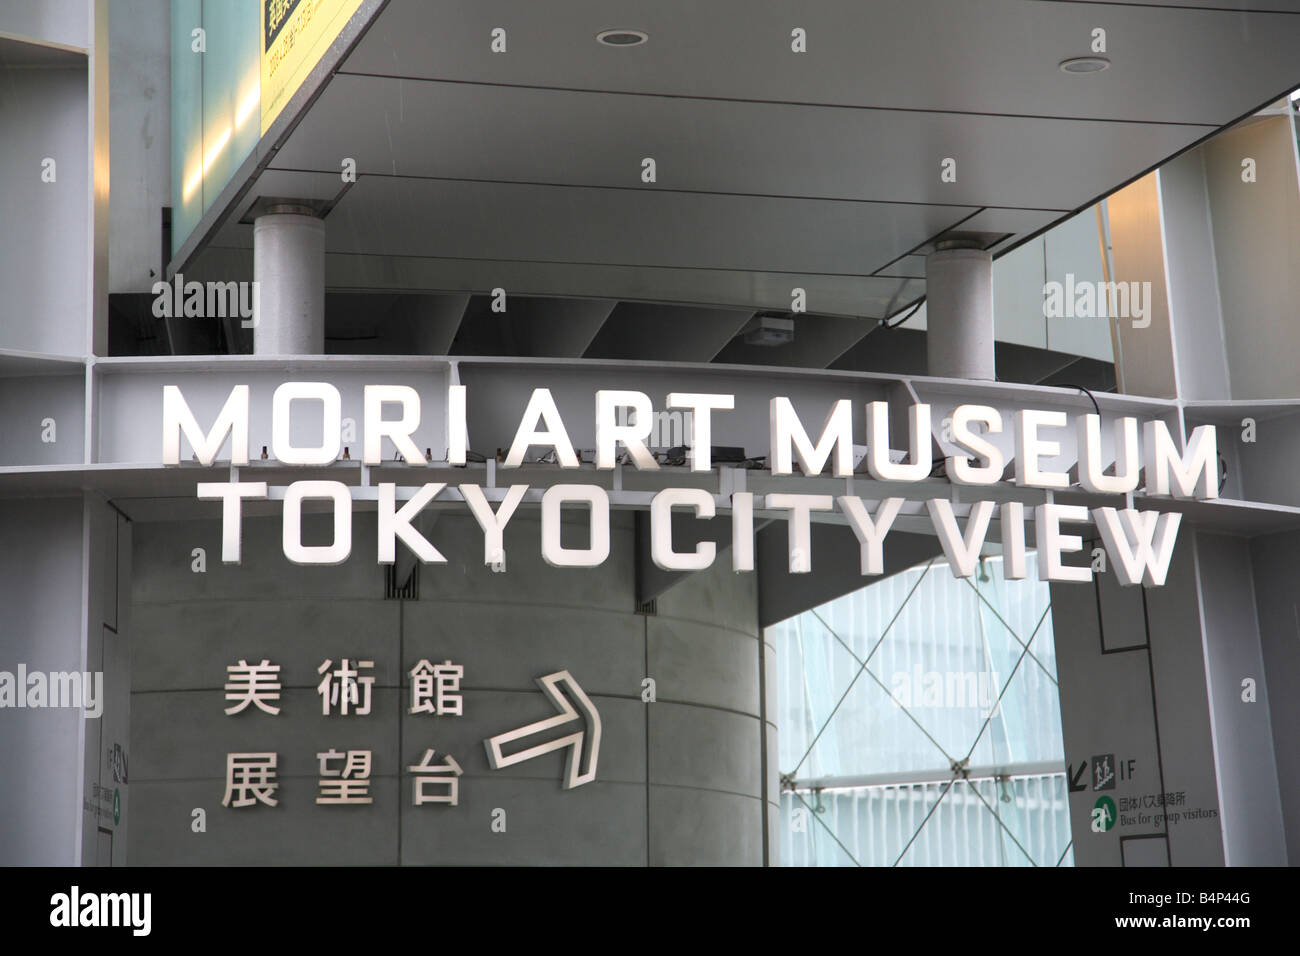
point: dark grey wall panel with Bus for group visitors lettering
(1133, 686)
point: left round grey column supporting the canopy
(289, 269)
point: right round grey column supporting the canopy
(960, 312)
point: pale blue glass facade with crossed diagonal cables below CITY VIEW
(920, 724)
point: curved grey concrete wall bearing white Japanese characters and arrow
(679, 781)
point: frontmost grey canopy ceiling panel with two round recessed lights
(993, 57)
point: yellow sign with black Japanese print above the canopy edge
(294, 36)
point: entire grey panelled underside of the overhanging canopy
(774, 170)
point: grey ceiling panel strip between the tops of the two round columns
(556, 224)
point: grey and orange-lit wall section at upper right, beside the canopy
(1221, 250)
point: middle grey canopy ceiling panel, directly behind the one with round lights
(457, 131)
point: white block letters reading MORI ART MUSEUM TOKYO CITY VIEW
(1141, 544)
